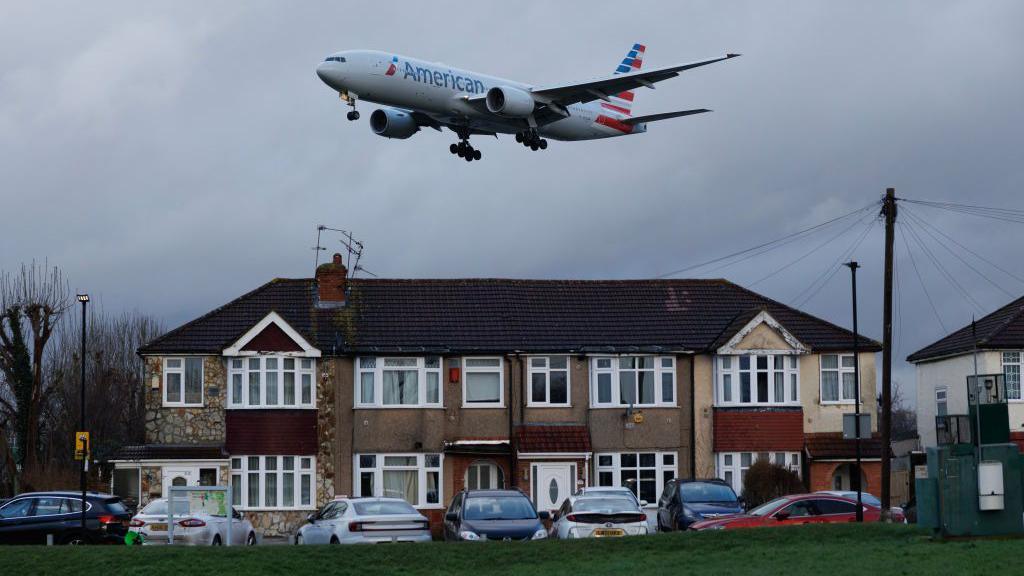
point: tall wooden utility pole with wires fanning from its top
(889, 212)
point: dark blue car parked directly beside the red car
(686, 502)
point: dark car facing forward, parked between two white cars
(493, 515)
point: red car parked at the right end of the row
(789, 511)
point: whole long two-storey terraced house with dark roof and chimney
(306, 389)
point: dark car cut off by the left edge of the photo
(29, 518)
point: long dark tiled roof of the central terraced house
(501, 316)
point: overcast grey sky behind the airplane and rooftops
(172, 157)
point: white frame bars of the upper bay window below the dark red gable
(240, 366)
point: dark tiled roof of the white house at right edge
(1002, 330)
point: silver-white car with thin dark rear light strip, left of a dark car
(365, 521)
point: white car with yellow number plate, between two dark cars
(600, 516)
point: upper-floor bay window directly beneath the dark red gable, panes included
(272, 382)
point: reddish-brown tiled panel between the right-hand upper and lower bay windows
(747, 430)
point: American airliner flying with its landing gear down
(420, 95)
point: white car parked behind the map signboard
(192, 528)
